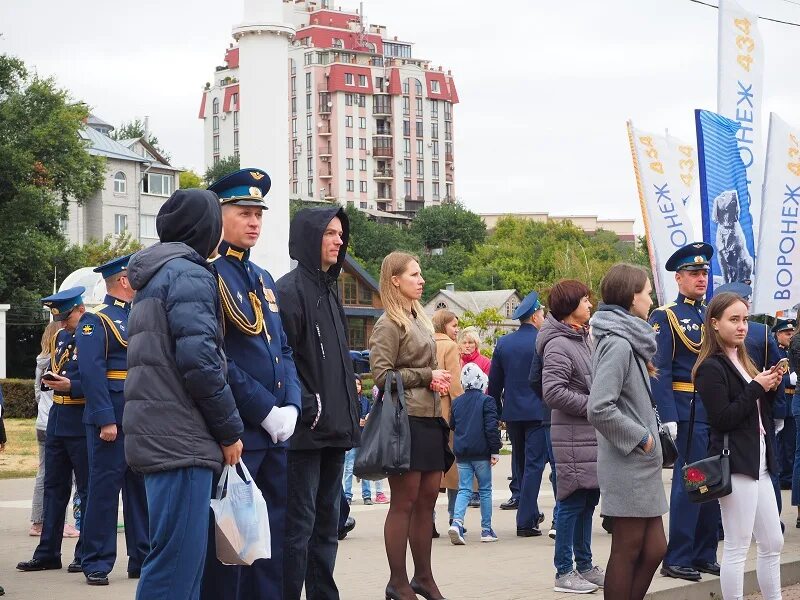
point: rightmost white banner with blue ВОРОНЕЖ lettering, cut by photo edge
(776, 288)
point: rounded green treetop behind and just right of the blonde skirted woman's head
(440, 226)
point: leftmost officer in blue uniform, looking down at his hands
(65, 448)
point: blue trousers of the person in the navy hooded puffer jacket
(177, 503)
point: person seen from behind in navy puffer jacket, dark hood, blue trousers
(180, 414)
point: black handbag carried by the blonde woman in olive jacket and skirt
(386, 440)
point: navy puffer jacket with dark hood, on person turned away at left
(178, 405)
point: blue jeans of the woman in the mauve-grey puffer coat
(574, 527)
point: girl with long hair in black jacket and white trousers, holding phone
(738, 399)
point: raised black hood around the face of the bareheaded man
(305, 237)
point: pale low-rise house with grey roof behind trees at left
(137, 181)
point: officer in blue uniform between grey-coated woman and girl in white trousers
(693, 528)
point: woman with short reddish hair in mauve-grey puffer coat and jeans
(563, 344)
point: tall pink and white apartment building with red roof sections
(370, 125)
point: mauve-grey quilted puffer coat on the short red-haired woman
(566, 381)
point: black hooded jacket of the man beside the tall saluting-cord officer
(316, 328)
